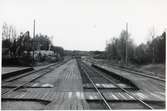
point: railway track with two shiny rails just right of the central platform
(89, 71)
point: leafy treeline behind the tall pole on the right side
(151, 52)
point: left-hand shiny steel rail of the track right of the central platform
(101, 95)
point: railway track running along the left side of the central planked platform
(22, 80)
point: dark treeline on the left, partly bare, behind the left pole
(23, 46)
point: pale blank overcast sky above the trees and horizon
(86, 24)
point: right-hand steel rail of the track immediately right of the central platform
(129, 93)
